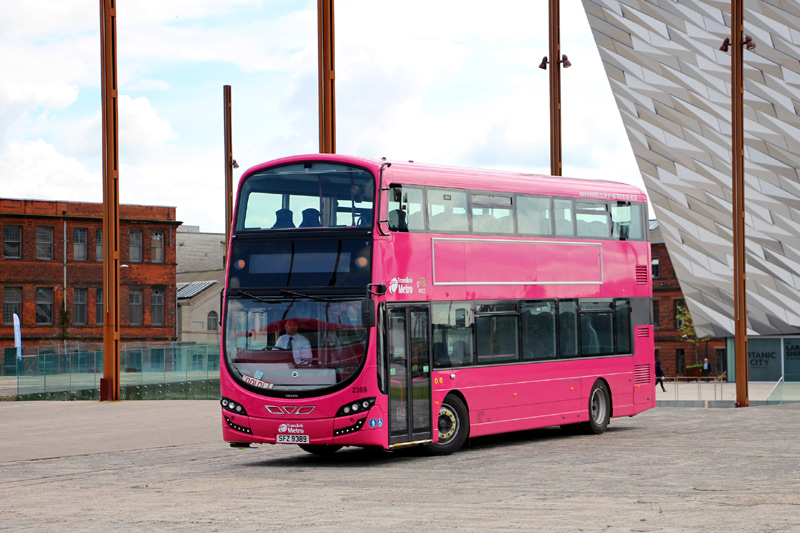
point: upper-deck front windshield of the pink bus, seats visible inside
(306, 195)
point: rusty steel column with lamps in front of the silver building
(739, 258)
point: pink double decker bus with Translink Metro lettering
(385, 304)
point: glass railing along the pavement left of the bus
(148, 371)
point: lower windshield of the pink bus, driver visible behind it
(295, 345)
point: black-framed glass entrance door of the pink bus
(409, 371)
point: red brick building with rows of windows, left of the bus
(55, 249)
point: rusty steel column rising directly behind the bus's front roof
(327, 81)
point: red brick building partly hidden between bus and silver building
(675, 352)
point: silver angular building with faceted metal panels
(672, 84)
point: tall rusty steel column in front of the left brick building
(109, 384)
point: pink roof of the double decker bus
(410, 173)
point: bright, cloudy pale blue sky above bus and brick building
(448, 82)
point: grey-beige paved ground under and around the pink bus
(137, 466)
